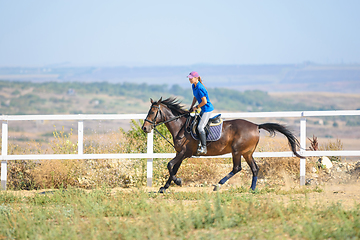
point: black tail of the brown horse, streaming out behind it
(273, 127)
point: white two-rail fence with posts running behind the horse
(150, 155)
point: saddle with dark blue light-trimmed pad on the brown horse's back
(213, 128)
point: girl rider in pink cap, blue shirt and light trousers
(202, 97)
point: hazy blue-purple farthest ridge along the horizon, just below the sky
(305, 77)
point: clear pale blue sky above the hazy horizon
(163, 33)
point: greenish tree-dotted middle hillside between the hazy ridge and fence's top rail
(24, 97)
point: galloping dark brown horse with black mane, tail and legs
(239, 137)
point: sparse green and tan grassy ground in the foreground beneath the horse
(326, 212)
